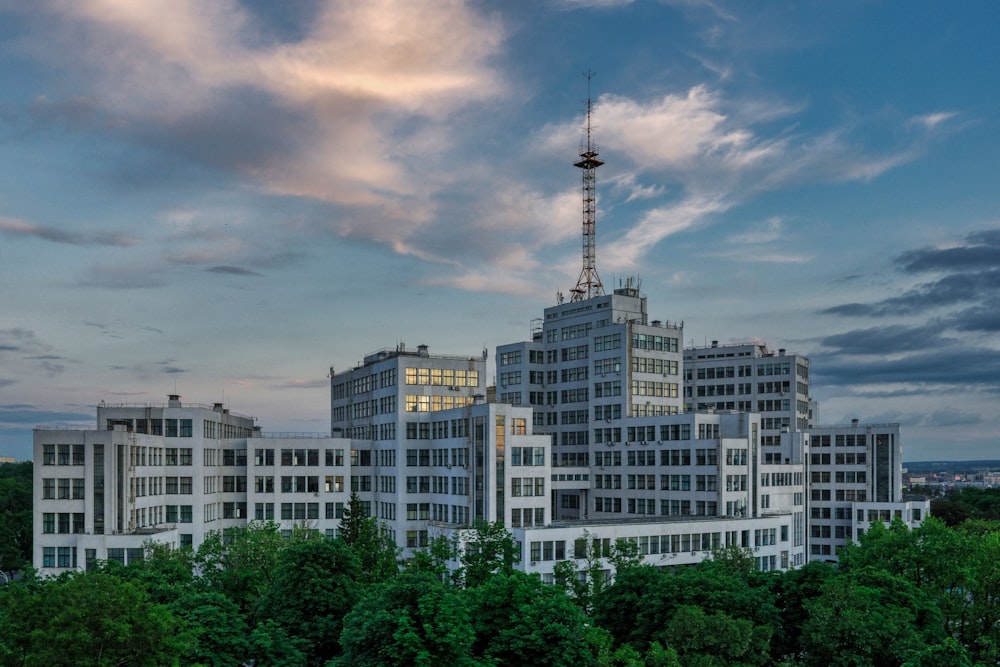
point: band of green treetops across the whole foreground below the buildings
(920, 598)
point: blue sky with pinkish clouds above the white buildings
(227, 199)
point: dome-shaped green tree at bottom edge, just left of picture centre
(412, 619)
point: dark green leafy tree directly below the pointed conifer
(315, 585)
